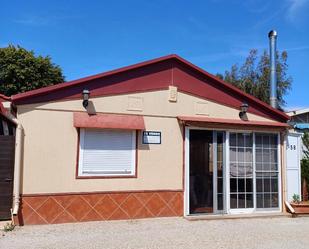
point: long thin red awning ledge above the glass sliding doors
(232, 121)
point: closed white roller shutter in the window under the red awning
(107, 152)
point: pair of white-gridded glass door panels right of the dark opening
(254, 171)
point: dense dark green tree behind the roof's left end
(21, 70)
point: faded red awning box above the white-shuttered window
(108, 121)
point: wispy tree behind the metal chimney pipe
(253, 76)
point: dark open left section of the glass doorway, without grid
(207, 184)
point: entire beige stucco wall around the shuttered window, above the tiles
(50, 142)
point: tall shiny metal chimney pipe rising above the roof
(273, 77)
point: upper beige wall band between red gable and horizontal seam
(147, 103)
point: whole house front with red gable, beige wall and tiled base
(161, 138)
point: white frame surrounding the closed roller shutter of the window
(105, 174)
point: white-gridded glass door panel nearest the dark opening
(241, 171)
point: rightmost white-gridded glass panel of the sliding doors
(267, 189)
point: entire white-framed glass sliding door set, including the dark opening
(252, 182)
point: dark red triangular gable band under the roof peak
(152, 77)
